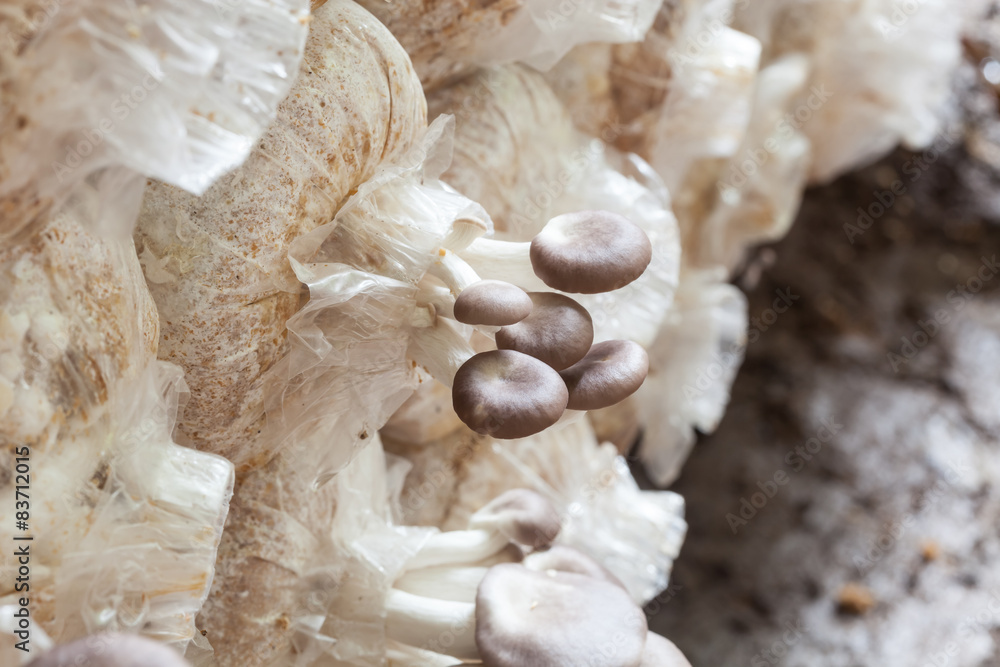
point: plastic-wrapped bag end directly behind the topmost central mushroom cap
(516, 151)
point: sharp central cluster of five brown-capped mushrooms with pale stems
(545, 361)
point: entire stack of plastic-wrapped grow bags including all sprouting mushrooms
(244, 202)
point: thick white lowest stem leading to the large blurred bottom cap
(439, 626)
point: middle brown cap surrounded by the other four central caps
(559, 331)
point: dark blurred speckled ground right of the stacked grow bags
(878, 544)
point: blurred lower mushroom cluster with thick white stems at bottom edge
(502, 593)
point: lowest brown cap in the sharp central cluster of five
(507, 394)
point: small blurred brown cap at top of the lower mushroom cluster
(522, 516)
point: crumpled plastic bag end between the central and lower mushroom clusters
(635, 534)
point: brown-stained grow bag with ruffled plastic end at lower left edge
(125, 522)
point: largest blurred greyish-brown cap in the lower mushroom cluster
(556, 619)
